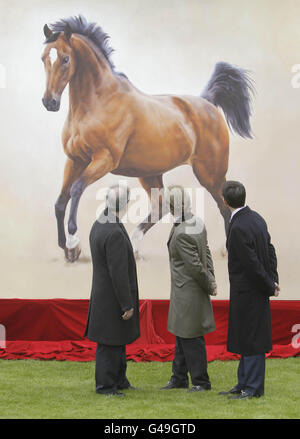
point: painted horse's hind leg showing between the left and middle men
(154, 188)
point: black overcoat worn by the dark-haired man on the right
(252, 266)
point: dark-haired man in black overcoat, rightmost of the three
(252, 266)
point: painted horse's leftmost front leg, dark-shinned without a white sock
(71, 172)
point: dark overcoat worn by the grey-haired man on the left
(114, 285)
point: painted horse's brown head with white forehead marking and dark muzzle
(59, 61)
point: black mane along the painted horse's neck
(80, 25)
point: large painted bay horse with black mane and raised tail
(114, 127)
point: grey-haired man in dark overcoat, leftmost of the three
(113, 317)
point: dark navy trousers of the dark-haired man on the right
(251, 374)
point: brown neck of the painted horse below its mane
(93, 77)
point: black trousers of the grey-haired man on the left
(110, 372)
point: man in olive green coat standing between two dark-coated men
(192, 283)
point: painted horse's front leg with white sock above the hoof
(101, 164)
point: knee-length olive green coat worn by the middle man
(192, 279)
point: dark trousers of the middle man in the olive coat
(190, 356)
